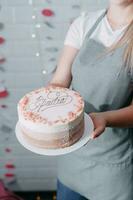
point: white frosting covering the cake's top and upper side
(51, 104)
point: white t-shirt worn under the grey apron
(103, 33)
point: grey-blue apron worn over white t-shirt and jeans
(103, 168)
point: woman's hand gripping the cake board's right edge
(99, 122)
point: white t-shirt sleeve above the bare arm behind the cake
(74, 35)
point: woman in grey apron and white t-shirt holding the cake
(97, 60)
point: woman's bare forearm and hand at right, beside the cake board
(117, 118)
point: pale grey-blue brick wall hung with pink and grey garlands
(32, 33)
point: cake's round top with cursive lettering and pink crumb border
(51, 105)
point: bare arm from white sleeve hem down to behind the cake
(62, 76)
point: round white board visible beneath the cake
(55, 152)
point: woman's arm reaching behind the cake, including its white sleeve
(72, 43)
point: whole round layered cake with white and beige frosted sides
(51, 117)
